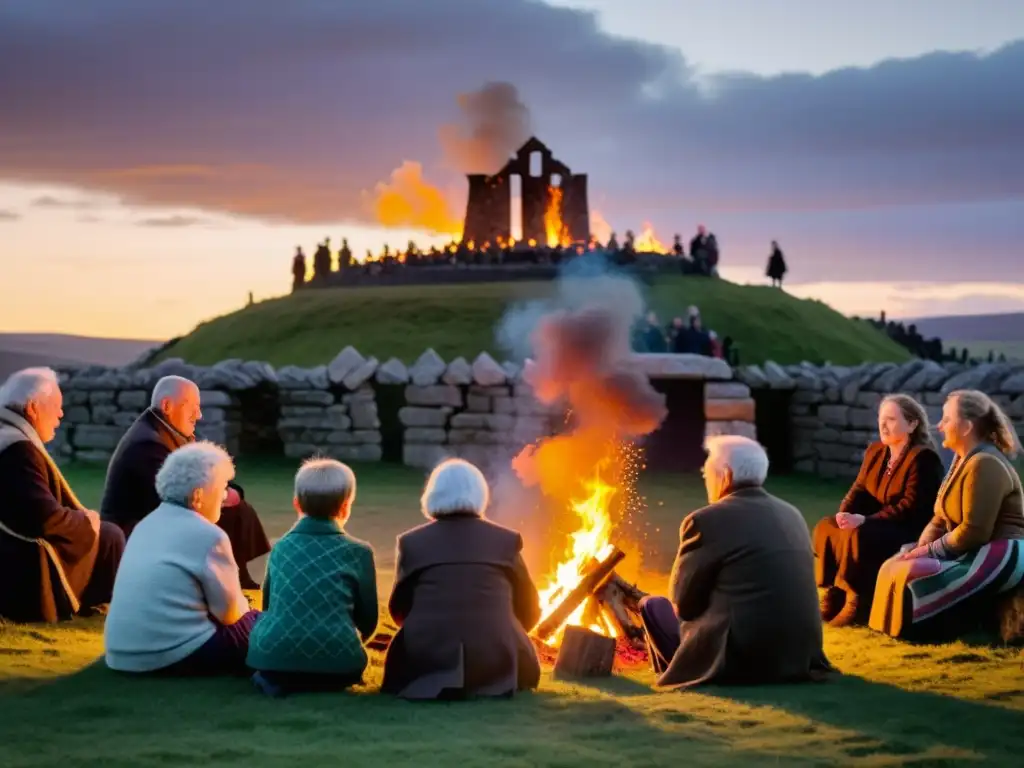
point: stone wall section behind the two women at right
(834, 409)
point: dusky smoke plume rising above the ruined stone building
(494, 124)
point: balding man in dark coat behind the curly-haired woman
(131, 491)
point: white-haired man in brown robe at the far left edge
(57, 559)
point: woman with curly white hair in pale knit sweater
(178, 607)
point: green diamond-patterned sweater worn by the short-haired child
(320, 603)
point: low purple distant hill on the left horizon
(25, 351)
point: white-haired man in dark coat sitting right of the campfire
(744, 605)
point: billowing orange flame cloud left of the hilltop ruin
(409, 200)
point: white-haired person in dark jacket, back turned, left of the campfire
(462, 598)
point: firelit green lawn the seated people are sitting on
(895, 704)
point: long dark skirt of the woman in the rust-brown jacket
(850, 560)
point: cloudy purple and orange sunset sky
(161, 160)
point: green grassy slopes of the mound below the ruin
(310, 328)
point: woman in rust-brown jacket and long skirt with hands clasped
(888, 506)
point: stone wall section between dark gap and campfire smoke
(479, 412)
